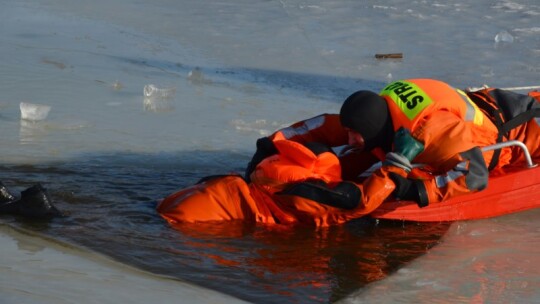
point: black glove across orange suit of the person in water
(344, 195)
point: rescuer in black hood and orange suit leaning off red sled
(415, 121)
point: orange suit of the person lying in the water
(231, 198)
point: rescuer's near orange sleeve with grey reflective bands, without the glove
(452, 148)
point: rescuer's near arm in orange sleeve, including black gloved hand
(452, 148)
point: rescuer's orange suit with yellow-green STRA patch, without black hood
(452, 129)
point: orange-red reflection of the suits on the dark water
(299, 262)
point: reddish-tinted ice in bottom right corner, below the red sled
(486, 261)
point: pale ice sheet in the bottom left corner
(42, 271)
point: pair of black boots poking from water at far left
(34, 202)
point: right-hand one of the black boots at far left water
(35, 202)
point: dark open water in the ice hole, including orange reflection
(112, 206)
